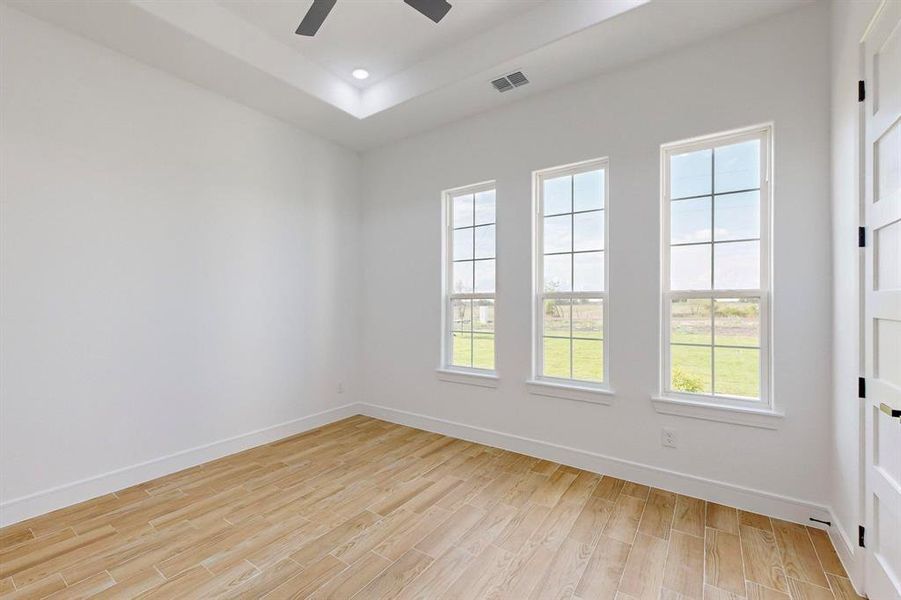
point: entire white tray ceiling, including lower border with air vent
(424, 74)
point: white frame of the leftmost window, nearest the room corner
(447, 370)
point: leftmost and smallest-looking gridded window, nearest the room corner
(469, 282)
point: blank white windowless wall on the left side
(176, 270)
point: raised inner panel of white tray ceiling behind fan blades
(381, 36)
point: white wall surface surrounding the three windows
(777, 70)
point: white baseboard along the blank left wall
(25, 507)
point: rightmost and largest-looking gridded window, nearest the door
(715, 269)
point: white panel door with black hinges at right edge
(882, 126)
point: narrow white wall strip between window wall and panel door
(849, 19)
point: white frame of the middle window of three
(540, 381)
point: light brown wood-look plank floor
(366, 509)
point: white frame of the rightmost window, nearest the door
(764, 133)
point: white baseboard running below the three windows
(782, 507)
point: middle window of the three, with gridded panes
(571, 273)
